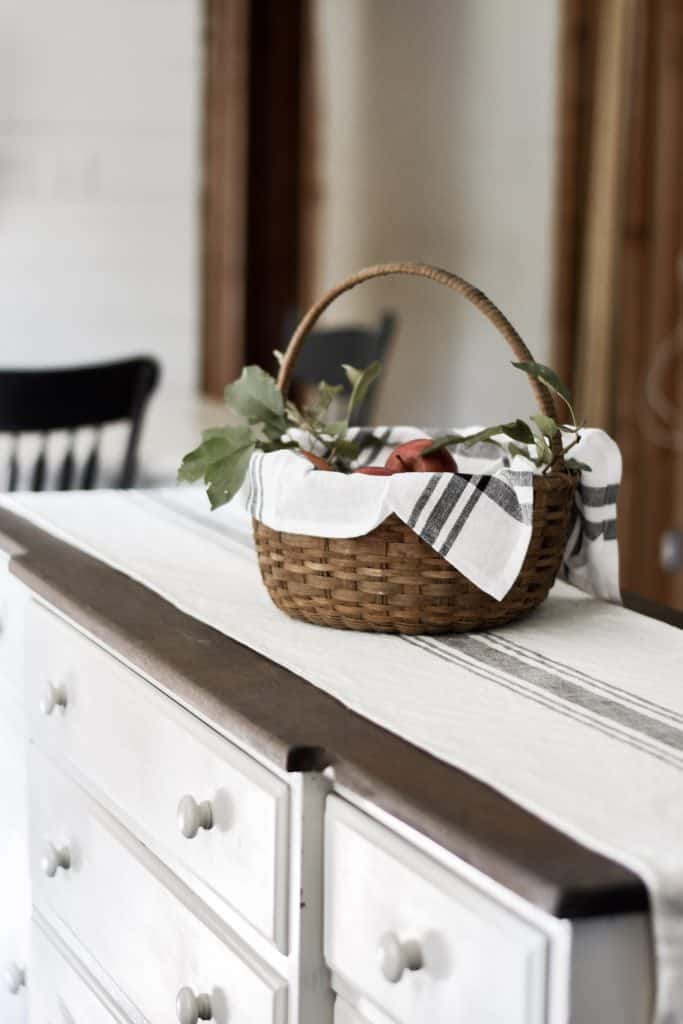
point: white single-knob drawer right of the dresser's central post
(417, 941)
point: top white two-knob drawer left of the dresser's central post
(144, 754)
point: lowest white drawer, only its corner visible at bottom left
(60, 993)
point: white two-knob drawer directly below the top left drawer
(146, 930)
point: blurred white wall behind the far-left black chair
(99, 183)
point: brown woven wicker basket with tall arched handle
(391, 581)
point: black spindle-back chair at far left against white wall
(41, 402)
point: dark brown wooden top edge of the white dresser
(300, 728)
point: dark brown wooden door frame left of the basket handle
(252, 211)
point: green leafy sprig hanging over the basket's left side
(223, 458)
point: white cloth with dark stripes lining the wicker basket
(480, 519)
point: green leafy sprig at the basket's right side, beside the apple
(537, 437)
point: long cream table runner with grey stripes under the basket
(576, 712)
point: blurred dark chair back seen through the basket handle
(326, 350)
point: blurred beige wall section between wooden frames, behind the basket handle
(438, 135)
